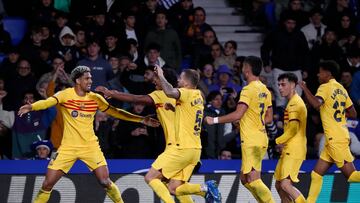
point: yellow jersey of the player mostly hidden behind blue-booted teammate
(166, 117)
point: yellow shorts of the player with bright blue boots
(177, 163)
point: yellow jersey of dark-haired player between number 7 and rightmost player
(295, 146)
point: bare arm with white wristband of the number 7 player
(231, 117)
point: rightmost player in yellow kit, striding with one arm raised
(335, 106)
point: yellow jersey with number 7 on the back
(252, 125)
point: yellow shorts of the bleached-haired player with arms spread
(66, 157)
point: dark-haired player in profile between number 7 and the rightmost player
(292, 143)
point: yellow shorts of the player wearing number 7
(252, 157)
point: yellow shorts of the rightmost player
(337, 153)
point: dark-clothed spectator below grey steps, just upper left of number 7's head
(228, 56)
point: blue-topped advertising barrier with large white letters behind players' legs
(21, 180)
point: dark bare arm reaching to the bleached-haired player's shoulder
(125, 97)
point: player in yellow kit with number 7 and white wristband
(254, 111)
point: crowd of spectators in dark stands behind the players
(122, 41)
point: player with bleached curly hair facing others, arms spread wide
(79, 106)
